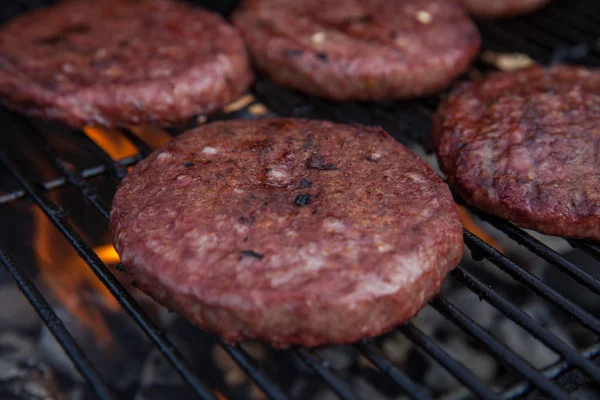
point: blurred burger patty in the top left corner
(121, 62)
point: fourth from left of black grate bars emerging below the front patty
(457, 369)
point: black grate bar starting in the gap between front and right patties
(545, 252)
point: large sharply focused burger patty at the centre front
(234, 244)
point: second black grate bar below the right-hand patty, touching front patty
(479, 247)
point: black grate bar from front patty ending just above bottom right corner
(527, 323)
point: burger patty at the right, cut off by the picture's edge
(524, 146)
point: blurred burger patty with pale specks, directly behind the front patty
(357, 49)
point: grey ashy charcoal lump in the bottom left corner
(22, 375)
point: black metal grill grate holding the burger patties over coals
(565, 31)
